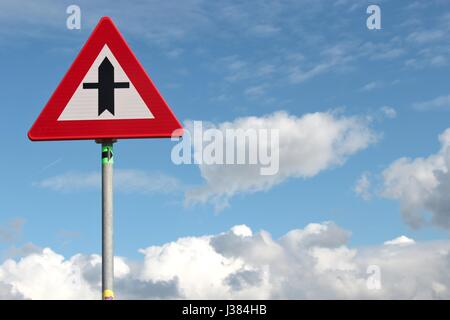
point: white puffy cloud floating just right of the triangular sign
(307, 145)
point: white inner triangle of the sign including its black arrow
(105, 93)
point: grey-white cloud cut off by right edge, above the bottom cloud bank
(422, 186)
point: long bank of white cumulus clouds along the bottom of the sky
(314, 262)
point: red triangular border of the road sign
(164, 125)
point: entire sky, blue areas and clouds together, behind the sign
(364, 135)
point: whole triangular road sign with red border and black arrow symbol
(106, 94)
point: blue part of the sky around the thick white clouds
(218, 62)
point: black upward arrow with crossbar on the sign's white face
(105, 86)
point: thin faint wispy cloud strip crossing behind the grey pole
(125, 180)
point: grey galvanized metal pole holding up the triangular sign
(107, 221)
